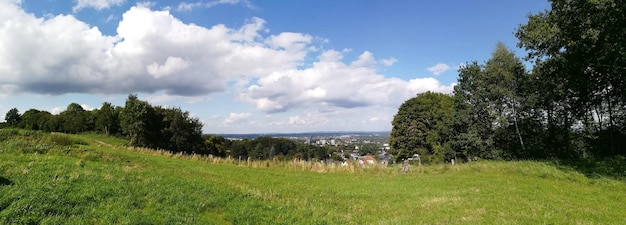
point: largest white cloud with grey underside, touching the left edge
(152, 52)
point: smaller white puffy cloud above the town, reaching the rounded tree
(330, 83)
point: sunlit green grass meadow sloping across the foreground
(92, 179)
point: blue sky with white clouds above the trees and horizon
(248, 66)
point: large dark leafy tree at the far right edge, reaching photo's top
(580, 45)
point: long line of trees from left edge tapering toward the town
(161, 128)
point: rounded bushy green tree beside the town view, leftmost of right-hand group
(423, 125)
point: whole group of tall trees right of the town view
(570, 104)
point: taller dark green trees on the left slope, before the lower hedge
(145, 125)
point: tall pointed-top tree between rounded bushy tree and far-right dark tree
(488, 101)
